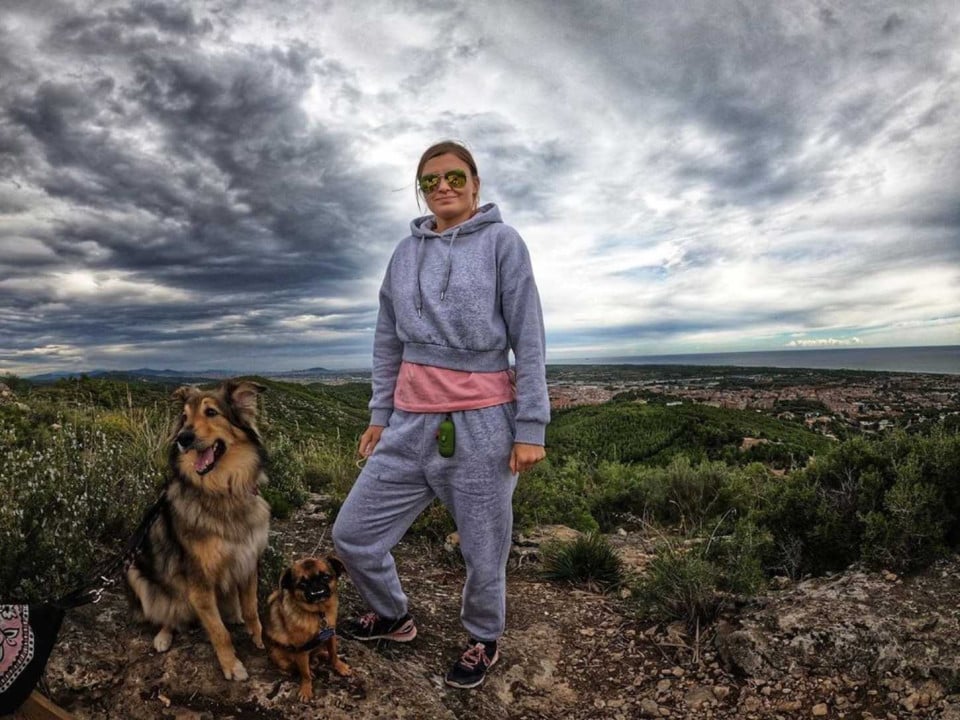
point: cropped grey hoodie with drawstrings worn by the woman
(462, 299)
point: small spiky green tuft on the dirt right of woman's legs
(589, 560)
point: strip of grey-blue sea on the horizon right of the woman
(940, 359)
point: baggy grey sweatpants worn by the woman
(400, 479)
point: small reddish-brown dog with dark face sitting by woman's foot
(302, 619)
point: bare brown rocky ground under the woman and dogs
(855, 645)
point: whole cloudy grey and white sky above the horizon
(220, 184)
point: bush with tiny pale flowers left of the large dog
(62, 500)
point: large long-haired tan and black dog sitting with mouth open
(200, 556)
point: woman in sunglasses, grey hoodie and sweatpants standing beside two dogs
(457, 297)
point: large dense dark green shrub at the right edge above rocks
(890, 501)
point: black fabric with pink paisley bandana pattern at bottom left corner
(27, 636)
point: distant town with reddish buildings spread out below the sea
(832, 402)
